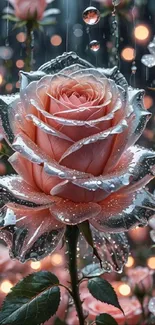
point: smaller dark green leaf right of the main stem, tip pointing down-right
(103, 291)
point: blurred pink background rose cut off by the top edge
(29, 9)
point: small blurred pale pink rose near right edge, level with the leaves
(140, 278)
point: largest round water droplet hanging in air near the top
(91, 15)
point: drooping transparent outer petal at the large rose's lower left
(35, 235)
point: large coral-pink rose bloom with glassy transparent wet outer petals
(73, 128)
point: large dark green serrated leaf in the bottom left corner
(32, 301)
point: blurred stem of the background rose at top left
(29, 46)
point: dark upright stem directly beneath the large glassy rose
(72, 233)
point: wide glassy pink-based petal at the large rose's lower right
(122, 211)
